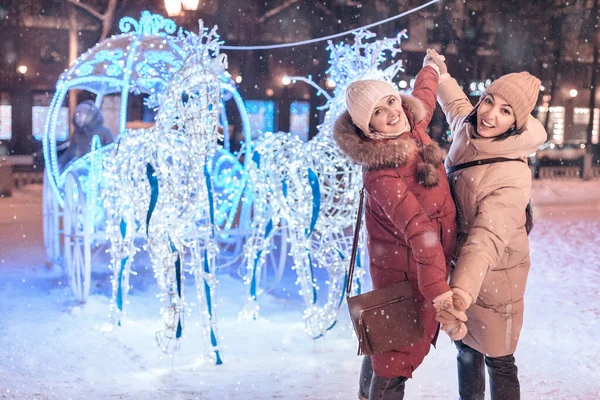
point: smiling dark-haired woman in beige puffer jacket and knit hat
(492, 256)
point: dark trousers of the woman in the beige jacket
(504, 381)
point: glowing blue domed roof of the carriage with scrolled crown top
(140, 60)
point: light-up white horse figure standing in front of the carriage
(159, 187)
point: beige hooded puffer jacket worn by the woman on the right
(493, 248)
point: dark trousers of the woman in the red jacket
(373, 387)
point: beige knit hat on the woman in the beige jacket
(520, 90)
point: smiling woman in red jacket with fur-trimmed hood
(410, 214)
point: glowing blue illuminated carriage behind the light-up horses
(139, 61)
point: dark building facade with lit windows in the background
(481, 41)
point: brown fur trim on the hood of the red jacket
(372, 154)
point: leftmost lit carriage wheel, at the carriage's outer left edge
(51, 224)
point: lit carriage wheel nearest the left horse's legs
(77, 241)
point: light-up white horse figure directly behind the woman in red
(311, 190)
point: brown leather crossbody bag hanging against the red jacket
(383, 319)
